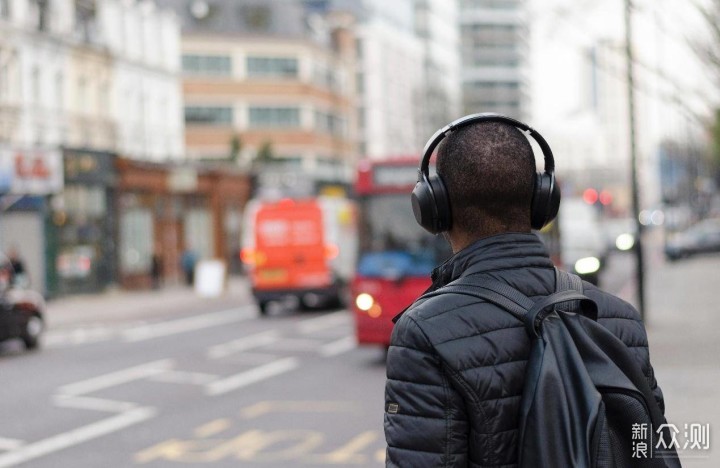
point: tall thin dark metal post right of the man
(640, 267)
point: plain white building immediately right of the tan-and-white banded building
(390, 79)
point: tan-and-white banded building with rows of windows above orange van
(270, 83)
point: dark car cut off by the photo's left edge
(21, 313)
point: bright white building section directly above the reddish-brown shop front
(146, 91)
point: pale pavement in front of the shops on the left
(122, 306)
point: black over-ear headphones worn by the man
(430, 200)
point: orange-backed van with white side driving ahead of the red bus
(292, 250)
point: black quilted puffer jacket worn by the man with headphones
(456, 364)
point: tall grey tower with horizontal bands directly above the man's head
(494, 56)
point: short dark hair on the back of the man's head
(489, 171)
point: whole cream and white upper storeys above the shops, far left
(94, 74)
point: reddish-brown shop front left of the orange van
(169, 214)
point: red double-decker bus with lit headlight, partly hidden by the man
(396, 256)
